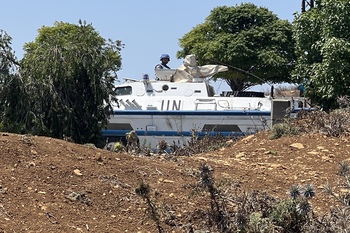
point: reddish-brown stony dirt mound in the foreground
(50, 185)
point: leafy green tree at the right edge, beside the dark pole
(322, 36)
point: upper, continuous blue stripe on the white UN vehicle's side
(194, 113)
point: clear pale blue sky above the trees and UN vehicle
(146, 28)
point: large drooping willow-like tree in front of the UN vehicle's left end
(68, 81)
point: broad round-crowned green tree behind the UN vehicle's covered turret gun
(256, 45)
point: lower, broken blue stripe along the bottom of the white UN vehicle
(122, 133)
